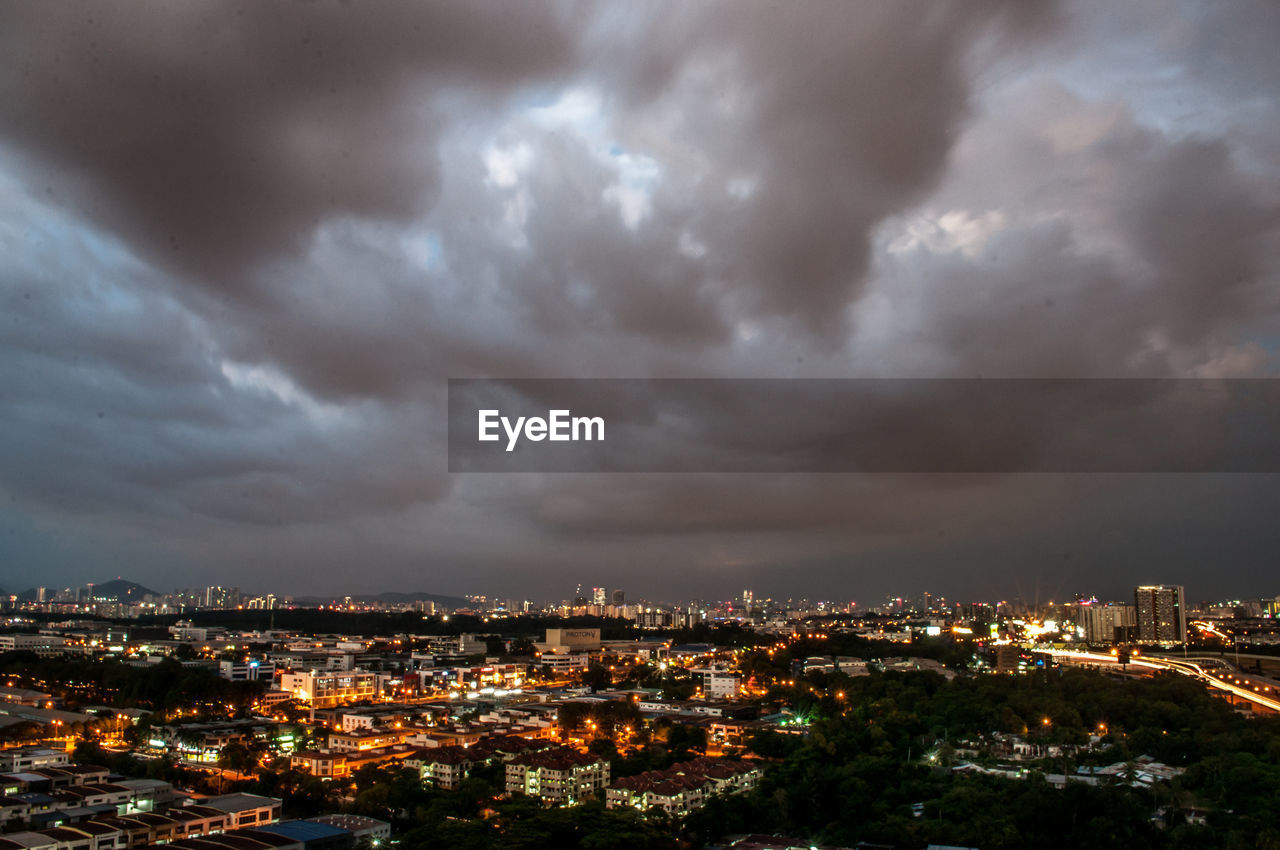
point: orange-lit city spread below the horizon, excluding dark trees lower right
(135, 719)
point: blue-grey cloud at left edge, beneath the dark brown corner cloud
(131, 412)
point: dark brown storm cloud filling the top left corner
(220, 135)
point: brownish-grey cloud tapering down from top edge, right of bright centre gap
(797, 135)
